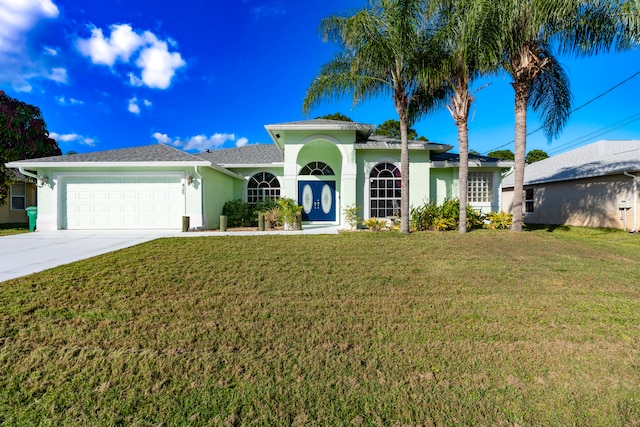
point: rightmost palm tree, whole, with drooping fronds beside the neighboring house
(531, 28)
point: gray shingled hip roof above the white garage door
(147, 155)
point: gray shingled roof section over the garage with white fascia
(145, 154)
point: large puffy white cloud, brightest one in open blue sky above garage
(156, 64)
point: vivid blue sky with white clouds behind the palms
(207, 74)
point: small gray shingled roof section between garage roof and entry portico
(257, 154)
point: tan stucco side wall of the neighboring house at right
(592, 202)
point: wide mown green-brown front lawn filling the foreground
(491, 328)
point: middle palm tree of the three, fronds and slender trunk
(469, 29)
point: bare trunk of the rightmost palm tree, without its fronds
(521, 98)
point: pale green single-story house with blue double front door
(324, 165)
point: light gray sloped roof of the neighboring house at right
(597, 159)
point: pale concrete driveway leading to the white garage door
(27, 253)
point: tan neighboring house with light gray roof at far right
(591, 186)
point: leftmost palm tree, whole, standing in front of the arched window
(386, 49)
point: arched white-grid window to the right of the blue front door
(384, 192)
